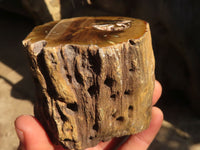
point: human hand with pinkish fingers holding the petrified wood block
(32, 136)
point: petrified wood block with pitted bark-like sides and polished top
(94, 78)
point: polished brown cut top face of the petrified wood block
(100, 31)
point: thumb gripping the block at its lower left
(31, 134)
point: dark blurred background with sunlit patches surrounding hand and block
(175, 37)
